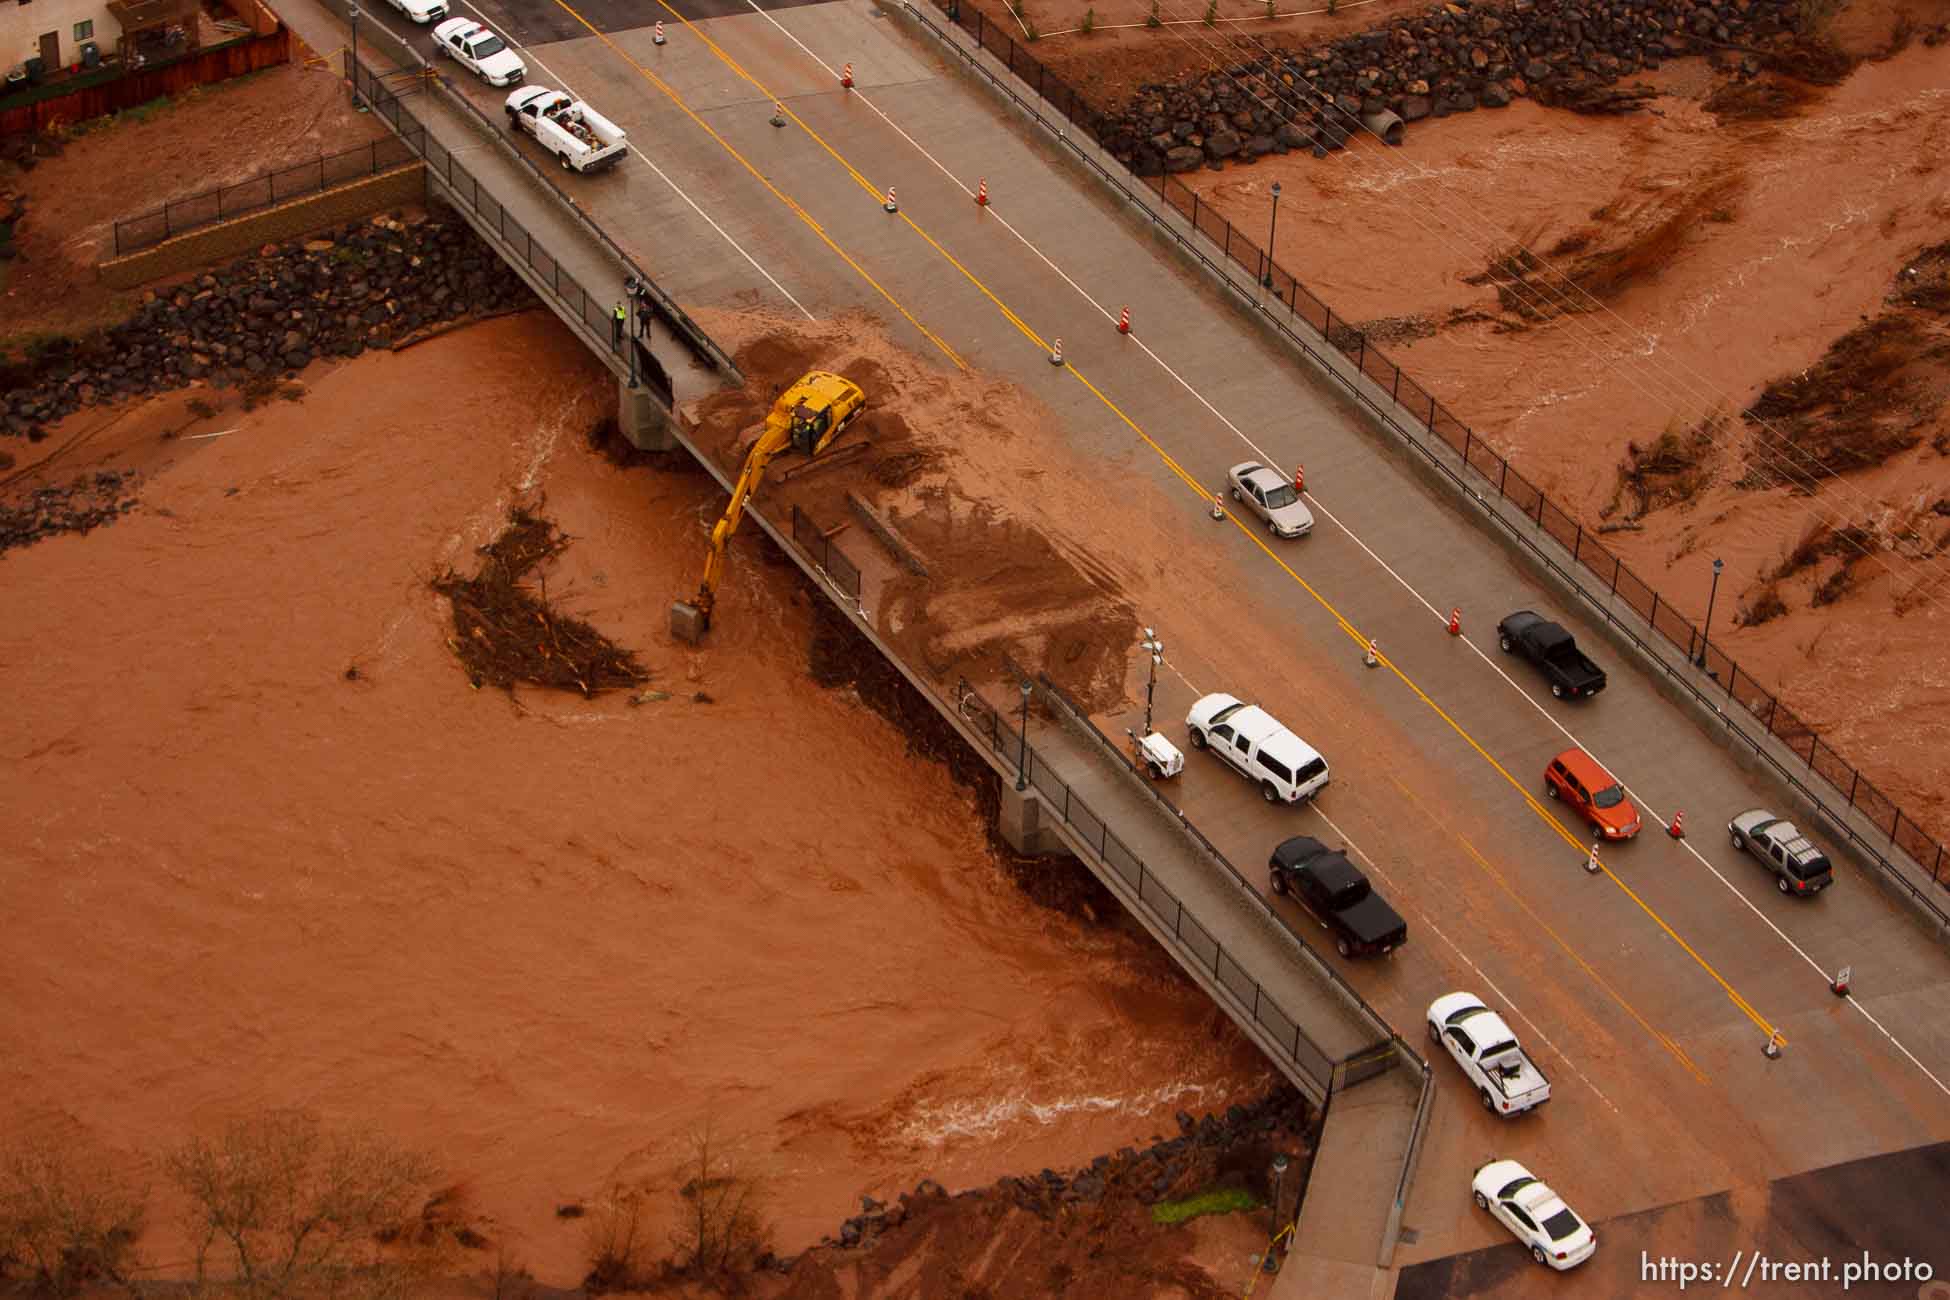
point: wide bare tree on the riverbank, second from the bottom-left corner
(295, 1207)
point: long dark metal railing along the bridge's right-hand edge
(1393, 391)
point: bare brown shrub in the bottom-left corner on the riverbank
(67, 1215)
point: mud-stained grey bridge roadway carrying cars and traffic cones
(1645, 991)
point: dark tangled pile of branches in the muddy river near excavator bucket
(508, 634)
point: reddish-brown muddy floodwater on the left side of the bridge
(539, 937)
